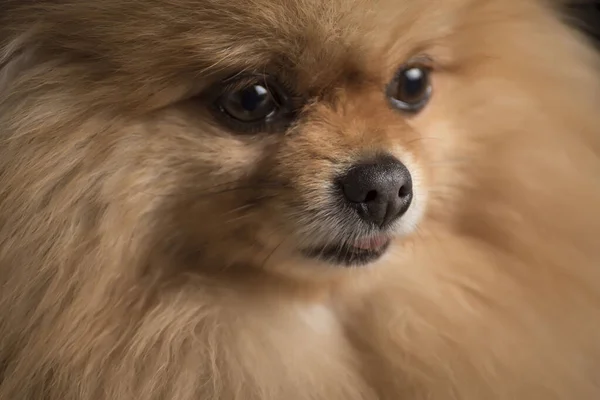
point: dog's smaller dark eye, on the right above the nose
(411, 88)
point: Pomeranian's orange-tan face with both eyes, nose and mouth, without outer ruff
(294, 146)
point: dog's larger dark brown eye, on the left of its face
(254, 104)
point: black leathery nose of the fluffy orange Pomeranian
(381, 190)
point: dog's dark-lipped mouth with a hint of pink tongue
(356, 253)
